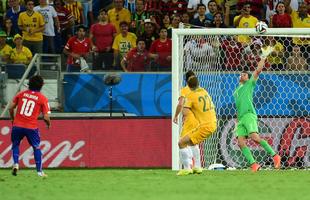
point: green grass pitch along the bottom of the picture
(149, 184)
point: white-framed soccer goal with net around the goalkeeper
(281, 96)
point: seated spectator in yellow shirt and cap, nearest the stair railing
(20, 54)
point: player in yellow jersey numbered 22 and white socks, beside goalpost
(200, 103)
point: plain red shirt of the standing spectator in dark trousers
(103, 35)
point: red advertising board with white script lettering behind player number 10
(134, 143)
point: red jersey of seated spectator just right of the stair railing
(74, 45)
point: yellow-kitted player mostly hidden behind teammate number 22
(189, 123)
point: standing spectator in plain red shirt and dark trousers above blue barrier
(101, 36)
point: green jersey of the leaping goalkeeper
(243, 96)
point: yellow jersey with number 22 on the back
(201, 104)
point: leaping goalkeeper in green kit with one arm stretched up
(247, 117)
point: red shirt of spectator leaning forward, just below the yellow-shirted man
(136, 61)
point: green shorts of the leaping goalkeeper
(247, 125)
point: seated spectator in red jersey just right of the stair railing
(76, 48)
